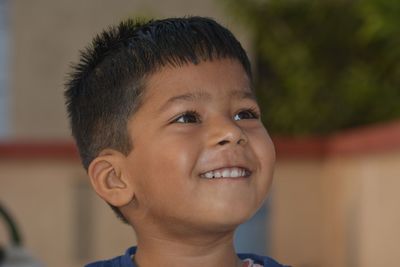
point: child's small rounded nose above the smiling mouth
(224, 132)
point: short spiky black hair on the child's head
(105, 87)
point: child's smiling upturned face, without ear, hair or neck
(194, 121)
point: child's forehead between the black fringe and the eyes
(203, 81)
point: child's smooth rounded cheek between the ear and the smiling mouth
(163, 167)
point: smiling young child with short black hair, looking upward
(169, 131)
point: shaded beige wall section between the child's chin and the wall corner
(296, 212)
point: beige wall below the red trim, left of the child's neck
(62, 221)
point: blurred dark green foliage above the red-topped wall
(324, 65)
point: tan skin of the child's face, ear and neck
(194, 119)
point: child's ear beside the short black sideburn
(109, 179)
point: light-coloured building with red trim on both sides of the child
(333, 204)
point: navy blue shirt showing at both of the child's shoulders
(126, 260)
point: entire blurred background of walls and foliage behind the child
(327, 74)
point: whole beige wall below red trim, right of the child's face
(342, 210)
